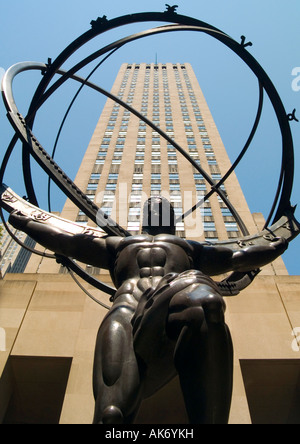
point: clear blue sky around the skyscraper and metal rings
(34, 30)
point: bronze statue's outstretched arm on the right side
(214, 260)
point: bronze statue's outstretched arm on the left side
(82, 247)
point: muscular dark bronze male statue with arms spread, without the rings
(167, 316)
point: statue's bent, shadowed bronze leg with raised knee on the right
(204, 353)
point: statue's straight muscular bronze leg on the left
(116, 380)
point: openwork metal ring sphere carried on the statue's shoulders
(281, 216)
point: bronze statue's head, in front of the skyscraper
(158, 217)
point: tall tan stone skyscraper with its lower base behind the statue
(51, 328)
